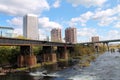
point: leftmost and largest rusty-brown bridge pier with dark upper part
(26, 58)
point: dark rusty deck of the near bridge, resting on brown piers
(19, 42)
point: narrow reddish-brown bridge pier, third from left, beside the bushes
(62, 52)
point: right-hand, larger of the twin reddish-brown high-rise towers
(71, 35)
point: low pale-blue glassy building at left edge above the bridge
(6, 31)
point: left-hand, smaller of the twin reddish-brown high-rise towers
(56, 35)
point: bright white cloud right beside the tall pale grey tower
(46, 23)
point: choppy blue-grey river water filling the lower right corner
(106, 67)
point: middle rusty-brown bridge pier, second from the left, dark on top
(49, 54)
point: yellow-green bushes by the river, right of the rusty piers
(87, 54)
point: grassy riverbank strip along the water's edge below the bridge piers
(82, 61)
